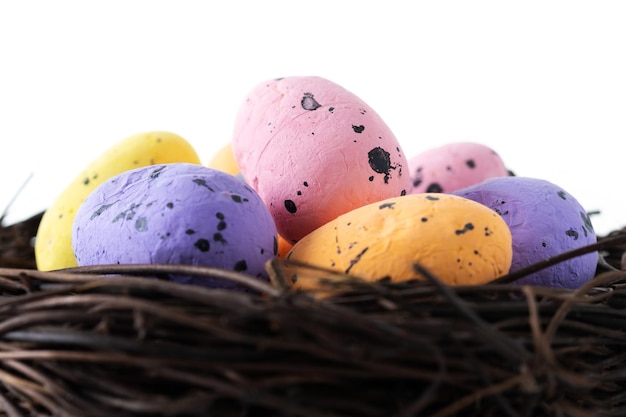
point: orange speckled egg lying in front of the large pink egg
(458, 240)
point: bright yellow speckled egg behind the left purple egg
(53, 249)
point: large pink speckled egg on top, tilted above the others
(313, 151)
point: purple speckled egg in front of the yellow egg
(177, 213)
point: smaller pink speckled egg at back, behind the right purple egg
(453, 166)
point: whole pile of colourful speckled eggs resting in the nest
(313, 174)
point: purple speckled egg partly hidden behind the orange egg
(545, 221)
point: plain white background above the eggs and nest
(541, 82)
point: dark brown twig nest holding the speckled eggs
(117, 341)
